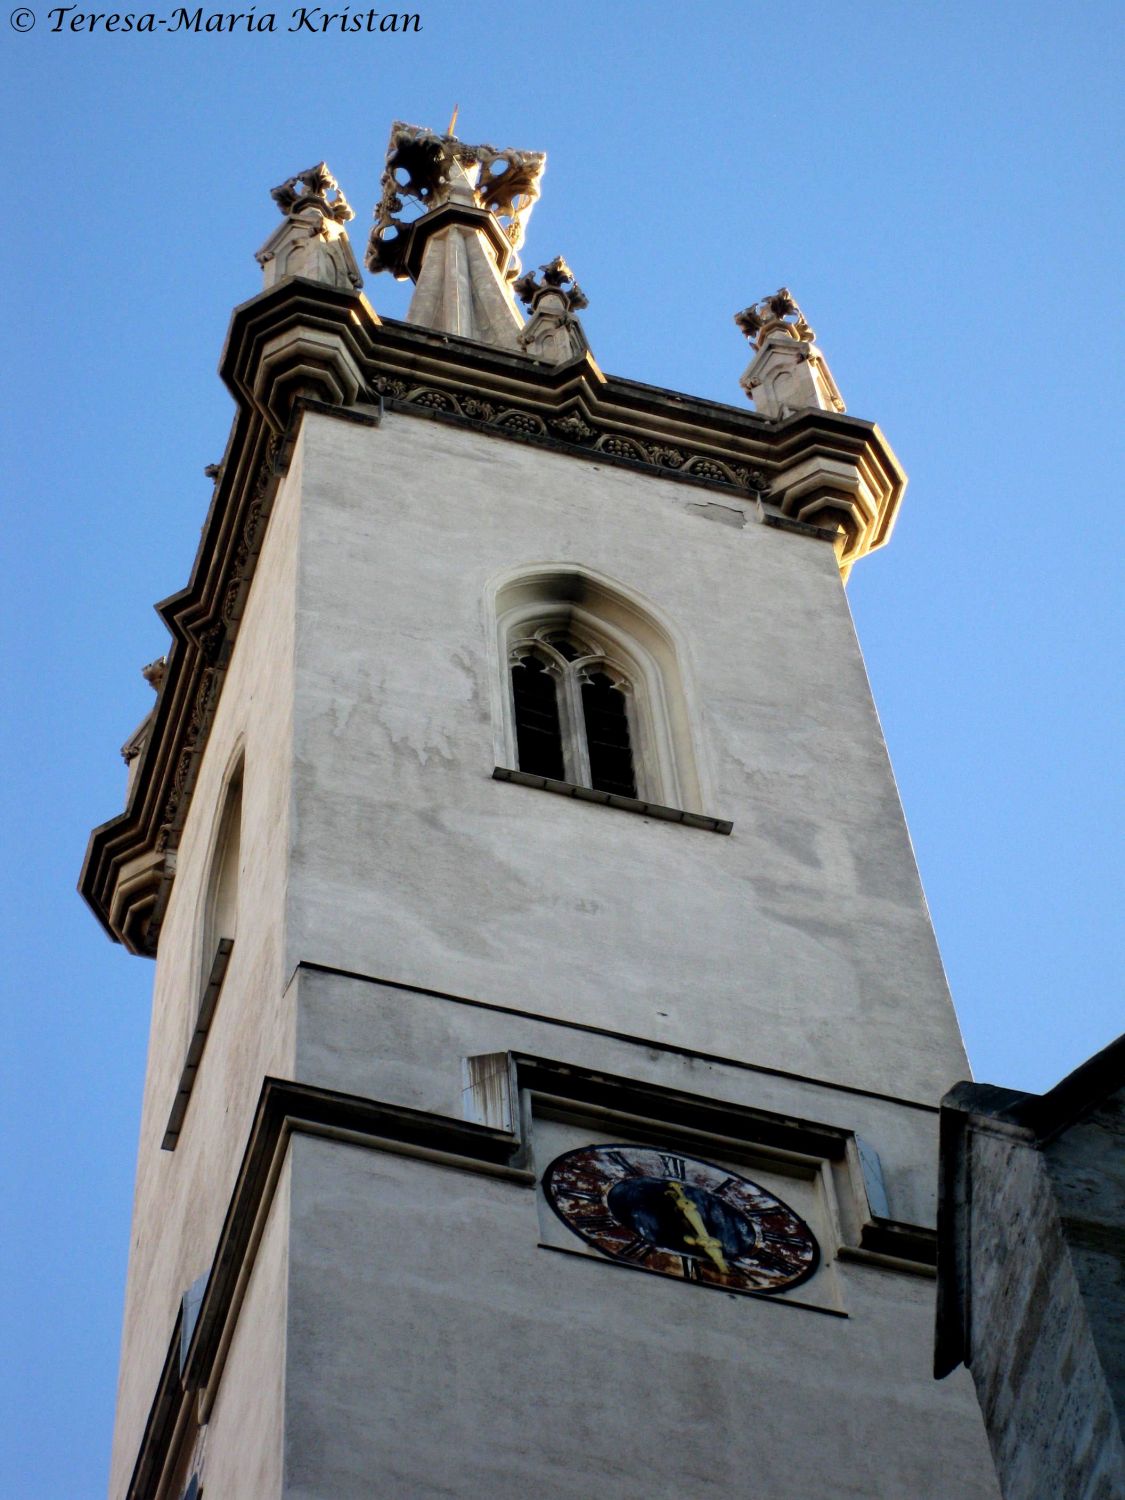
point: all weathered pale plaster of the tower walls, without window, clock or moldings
(428, 1339)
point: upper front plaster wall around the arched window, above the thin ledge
(800, 943)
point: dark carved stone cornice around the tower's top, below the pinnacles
(310, 346)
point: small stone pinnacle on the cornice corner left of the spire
(313, 241)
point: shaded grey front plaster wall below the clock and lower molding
(436, 1351)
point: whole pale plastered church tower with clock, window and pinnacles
(548, 1028)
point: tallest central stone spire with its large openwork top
(461, 248)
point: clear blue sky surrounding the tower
(937, 185)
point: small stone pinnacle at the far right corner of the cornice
(788, 373)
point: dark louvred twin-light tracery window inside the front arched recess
(572, 712)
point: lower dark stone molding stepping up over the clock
(491, 1139)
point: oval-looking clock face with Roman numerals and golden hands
(682, 1217)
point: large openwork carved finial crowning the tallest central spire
(427, 170)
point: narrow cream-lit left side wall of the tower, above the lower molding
(182, 1196)
